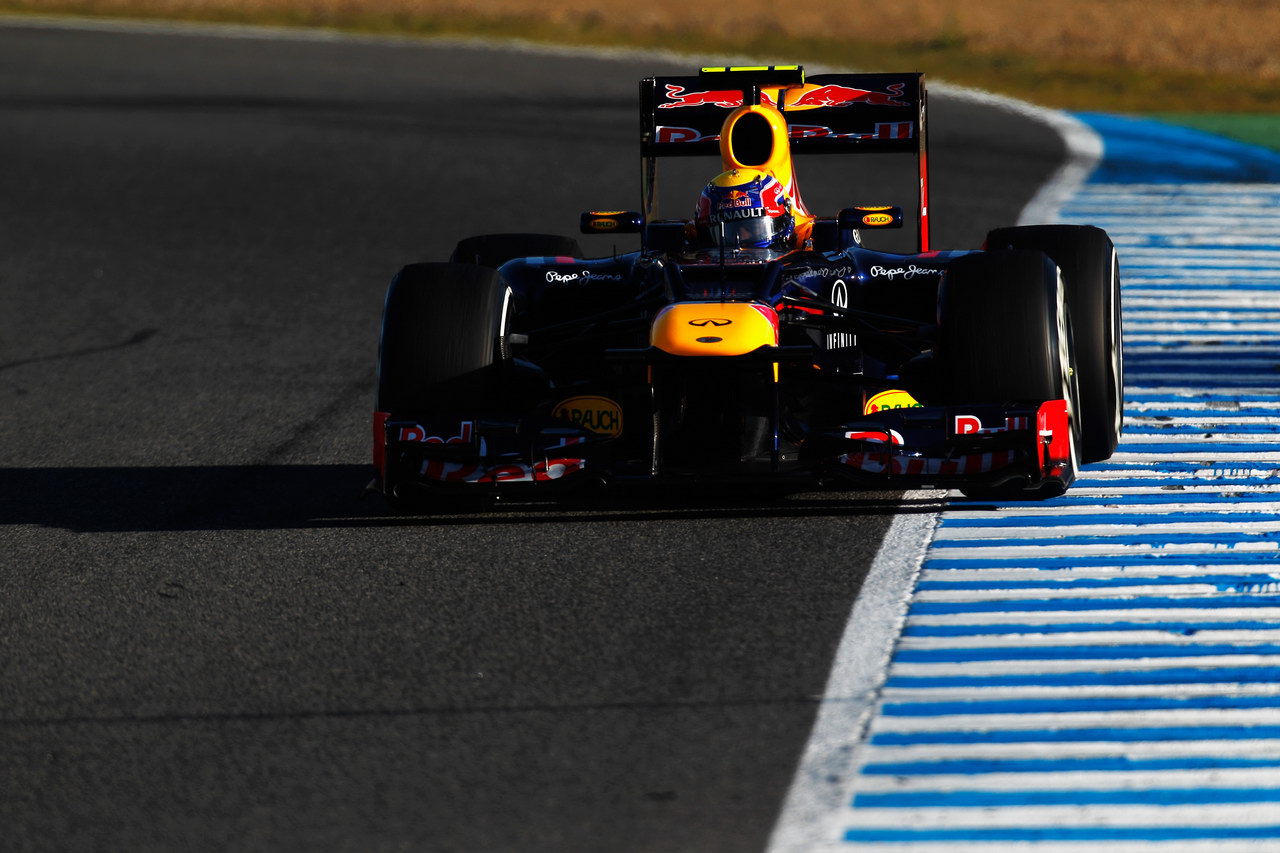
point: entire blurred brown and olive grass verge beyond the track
(1068, 53)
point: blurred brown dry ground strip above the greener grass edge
(1224, 37)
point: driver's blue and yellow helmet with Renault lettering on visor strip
(749, 209)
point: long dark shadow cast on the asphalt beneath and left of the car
(260, 498)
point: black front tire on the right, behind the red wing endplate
(1005, 337)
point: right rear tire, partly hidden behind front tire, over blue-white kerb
(1092, 276)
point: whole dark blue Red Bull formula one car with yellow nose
(755, 340)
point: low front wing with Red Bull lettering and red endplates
(935, 446)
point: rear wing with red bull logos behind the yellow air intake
(826, 115)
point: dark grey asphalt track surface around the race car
(209, 640)
